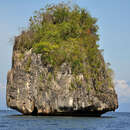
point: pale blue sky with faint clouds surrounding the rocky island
(114, 30)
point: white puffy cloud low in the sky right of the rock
(123, 91)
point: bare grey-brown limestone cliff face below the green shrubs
(36, 89)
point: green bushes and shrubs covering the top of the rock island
(65, 34)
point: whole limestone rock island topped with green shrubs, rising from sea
(58, 68)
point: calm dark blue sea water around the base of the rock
(11, 120)
